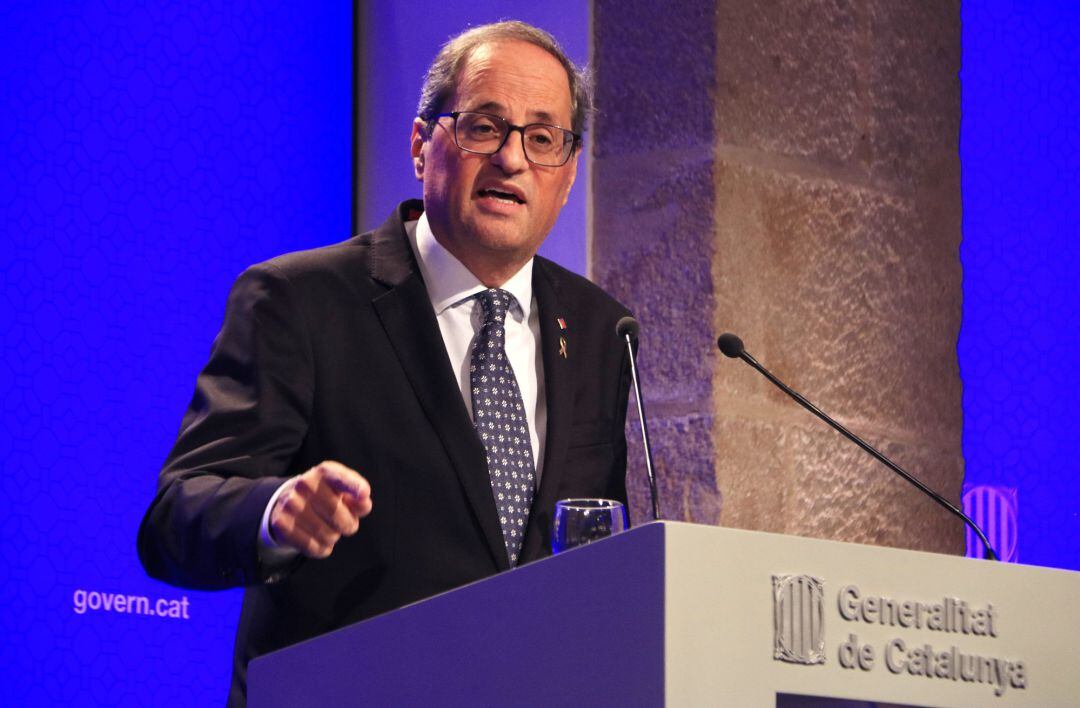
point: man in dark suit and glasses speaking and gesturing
(330, 461)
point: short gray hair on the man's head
(444, 72)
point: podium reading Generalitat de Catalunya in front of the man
(679, 615)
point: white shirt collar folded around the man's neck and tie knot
(450, 282)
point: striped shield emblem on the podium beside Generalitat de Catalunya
(799, 610)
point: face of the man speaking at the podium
(493, 236)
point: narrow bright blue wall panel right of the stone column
(1021, 253)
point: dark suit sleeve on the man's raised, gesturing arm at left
(247, 421)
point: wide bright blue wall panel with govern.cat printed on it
(148, 153)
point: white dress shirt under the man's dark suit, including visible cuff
(452, 288)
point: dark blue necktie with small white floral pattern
(499, 417)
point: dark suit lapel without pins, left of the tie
(411, 326)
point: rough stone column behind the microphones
(788, 172)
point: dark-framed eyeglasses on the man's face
(549, 146)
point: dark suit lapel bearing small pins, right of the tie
(557, 347)
